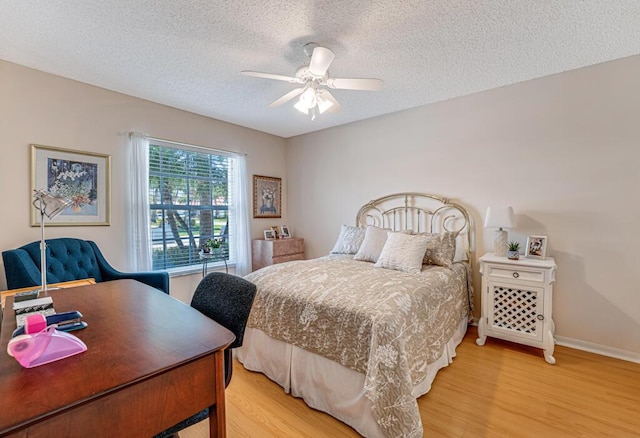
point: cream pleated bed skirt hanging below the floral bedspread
(324, 384)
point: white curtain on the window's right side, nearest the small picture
(240, 206)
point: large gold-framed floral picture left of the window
(82, 177)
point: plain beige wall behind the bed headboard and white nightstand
(563, 150)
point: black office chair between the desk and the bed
(226, 299)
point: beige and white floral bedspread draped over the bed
(383, 323)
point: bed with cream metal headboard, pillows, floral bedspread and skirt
(362, 332)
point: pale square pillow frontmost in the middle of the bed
(403, 252)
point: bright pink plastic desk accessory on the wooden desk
(45, 346)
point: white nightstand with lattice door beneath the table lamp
(517, 302)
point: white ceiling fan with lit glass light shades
(314, 97)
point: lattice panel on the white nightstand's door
(515, 309)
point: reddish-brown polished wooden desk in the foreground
(151, 362)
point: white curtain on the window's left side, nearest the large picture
(137, 203)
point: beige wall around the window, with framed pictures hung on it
(40, 108)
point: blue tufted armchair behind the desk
(69, 259)
